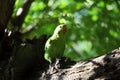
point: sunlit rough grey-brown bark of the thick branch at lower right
(105, 67)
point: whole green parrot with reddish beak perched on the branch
(55, 45)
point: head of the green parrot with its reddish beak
(61, 29)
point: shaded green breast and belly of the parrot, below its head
(55, 48)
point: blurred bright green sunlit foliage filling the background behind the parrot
(94, 25)
